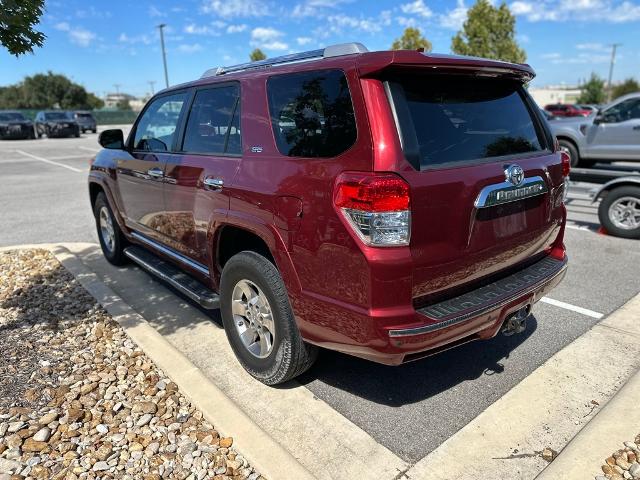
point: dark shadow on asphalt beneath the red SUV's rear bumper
(419, 380)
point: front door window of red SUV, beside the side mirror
(156, 128)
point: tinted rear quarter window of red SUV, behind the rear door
(311, 113)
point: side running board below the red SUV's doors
(175, 277)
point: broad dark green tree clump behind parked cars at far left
(48, 90)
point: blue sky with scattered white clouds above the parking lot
(100, 43)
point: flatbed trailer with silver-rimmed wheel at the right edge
(619, 195)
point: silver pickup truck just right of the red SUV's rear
(612, 134)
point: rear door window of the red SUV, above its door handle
(214, 122)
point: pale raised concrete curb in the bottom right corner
(617, 422)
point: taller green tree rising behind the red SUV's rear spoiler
(489, 32)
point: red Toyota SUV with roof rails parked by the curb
(388, 205)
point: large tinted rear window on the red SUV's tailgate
(455, 119)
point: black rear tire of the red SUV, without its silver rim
(290, 355)
